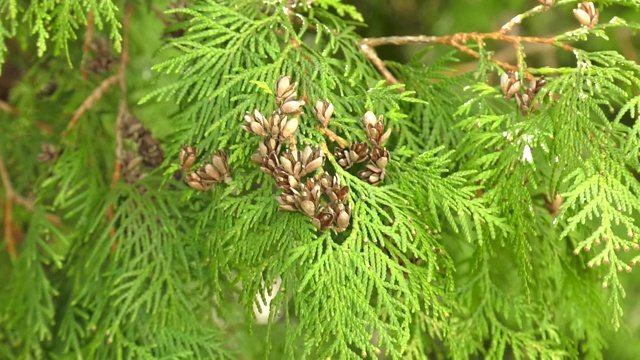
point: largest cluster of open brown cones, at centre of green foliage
(321, 198)
